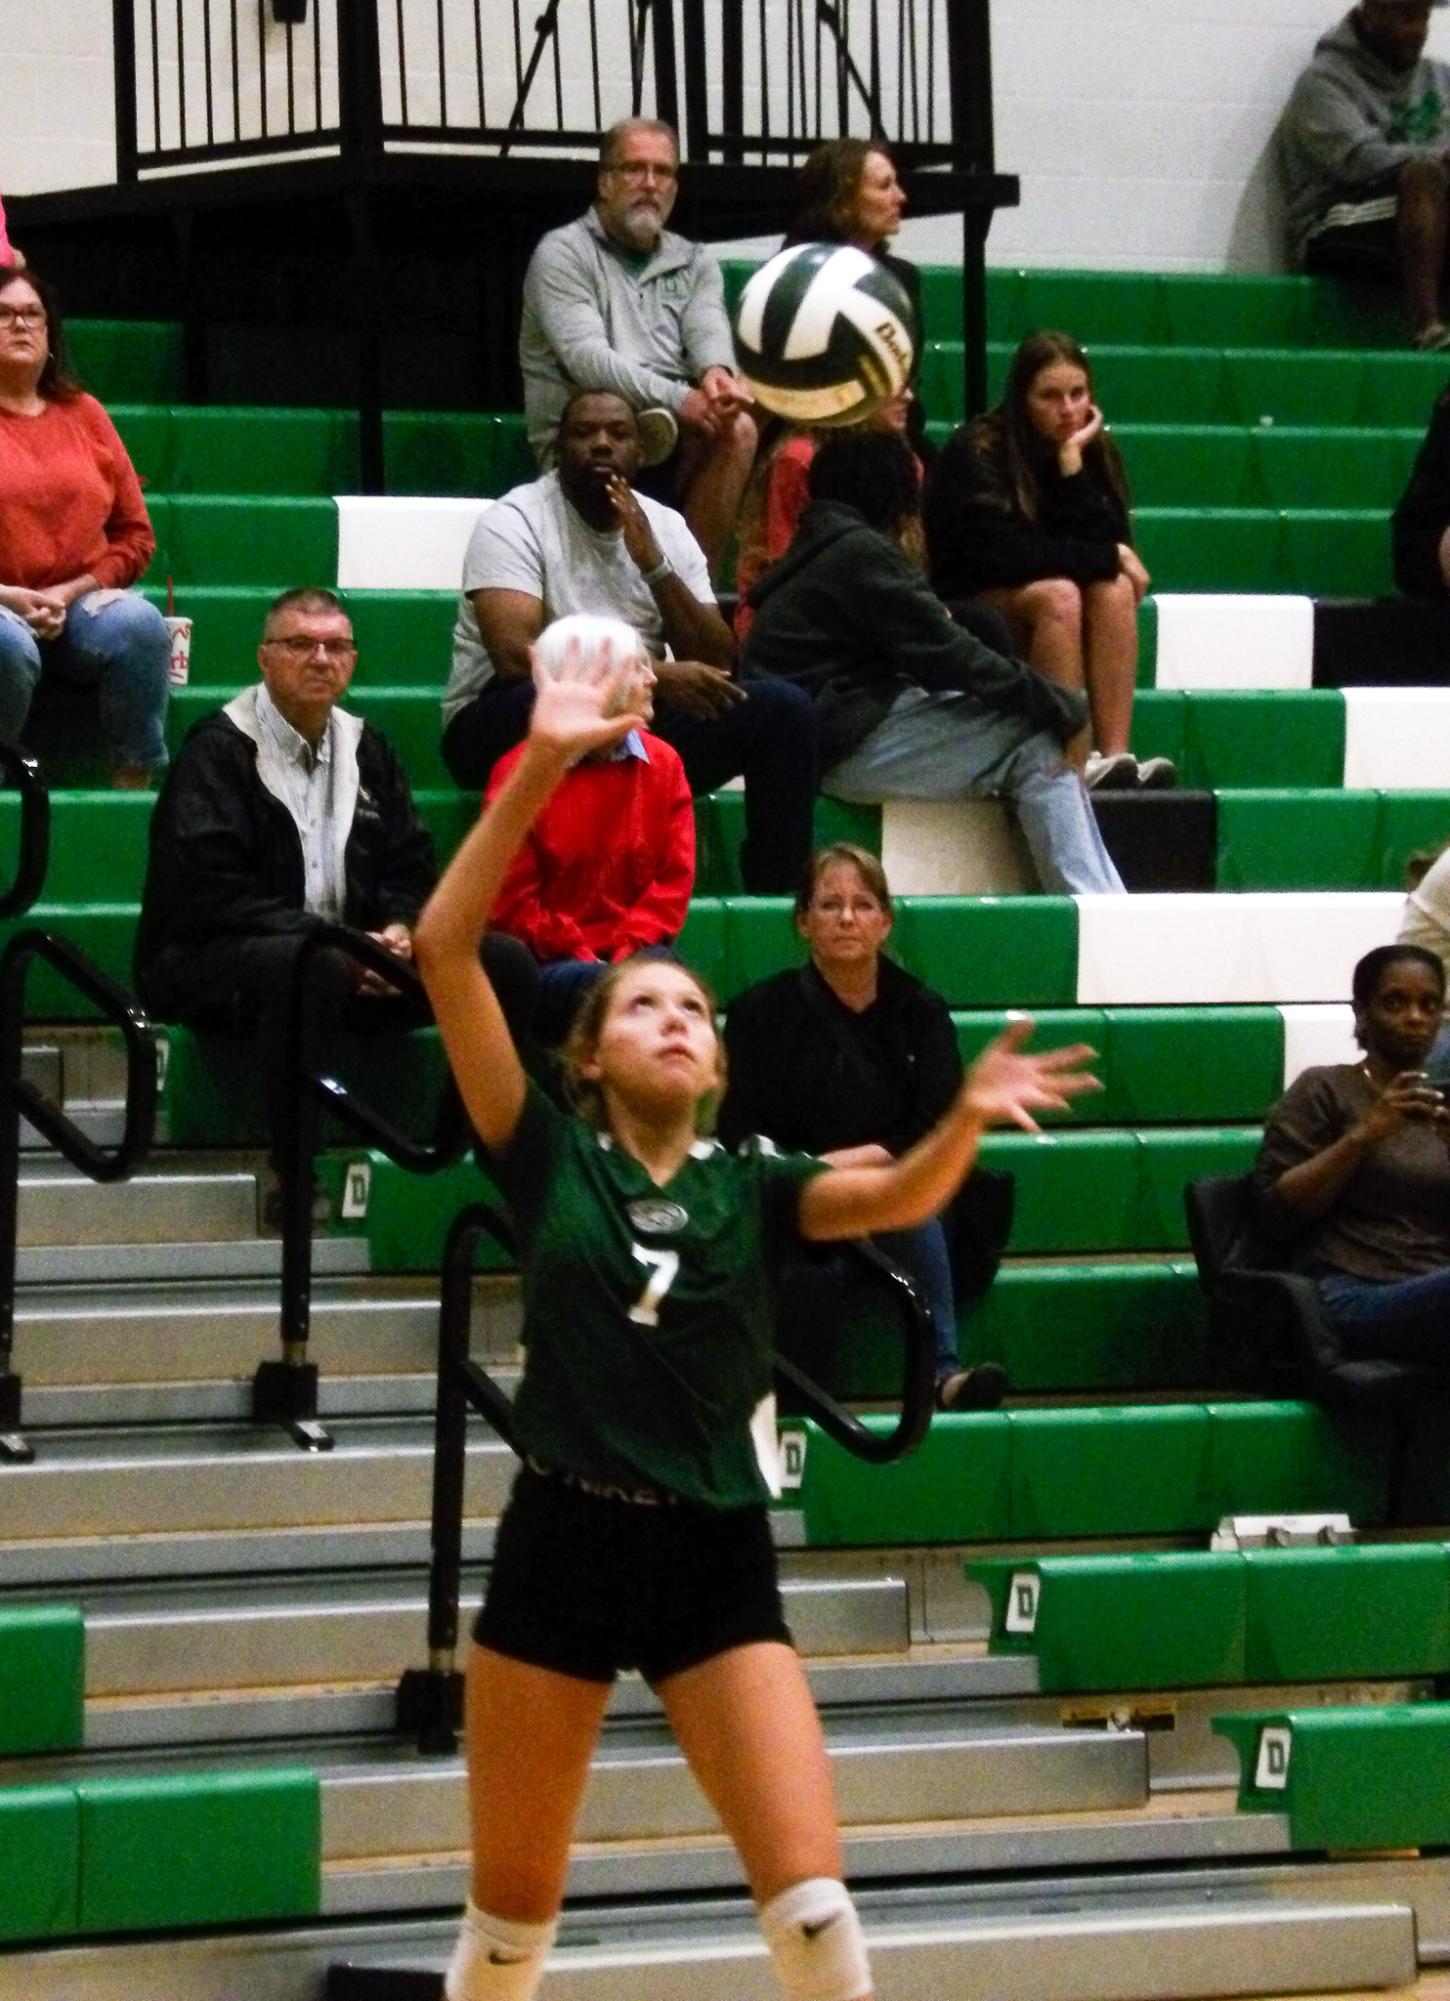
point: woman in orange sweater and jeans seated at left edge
(73, 535)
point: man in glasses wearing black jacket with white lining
(285, 813)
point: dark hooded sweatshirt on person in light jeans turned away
(851, 621)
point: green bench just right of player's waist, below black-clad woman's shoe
(1069, 1474)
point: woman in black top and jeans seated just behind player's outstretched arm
(855, 1060)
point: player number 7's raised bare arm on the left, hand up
(571, 717)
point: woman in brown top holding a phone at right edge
(1355, 1168)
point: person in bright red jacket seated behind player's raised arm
(609, 865)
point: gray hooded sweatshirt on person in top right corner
(1353, 123)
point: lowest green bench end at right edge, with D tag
(1363, 1778)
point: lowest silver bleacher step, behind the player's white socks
(1043, 1944)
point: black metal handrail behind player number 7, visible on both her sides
(431, 1698)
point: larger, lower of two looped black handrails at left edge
(25, 1102)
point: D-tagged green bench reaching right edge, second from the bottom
(1223, 1618)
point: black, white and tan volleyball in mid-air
(825, 335)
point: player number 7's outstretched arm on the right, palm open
(1003, 1088)
